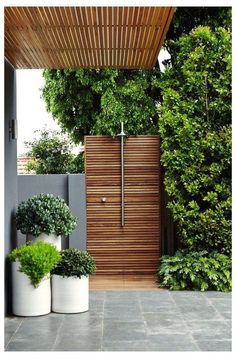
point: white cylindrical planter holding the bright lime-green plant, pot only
(28, 300)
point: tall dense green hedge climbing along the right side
(195, 127)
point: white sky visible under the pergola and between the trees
(31, 108)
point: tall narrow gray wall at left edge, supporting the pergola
(10, 177)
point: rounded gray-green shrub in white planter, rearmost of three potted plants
(45, 217)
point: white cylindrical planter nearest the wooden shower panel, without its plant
(70, 294)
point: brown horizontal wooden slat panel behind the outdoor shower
(135, 248)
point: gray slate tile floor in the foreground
(130, 321)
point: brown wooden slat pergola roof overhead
(89, 37)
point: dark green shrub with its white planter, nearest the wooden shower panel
(70, 281)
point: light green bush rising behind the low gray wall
(51, 154)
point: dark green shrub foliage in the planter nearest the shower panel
(75, 263)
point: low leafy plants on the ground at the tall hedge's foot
(196, 271)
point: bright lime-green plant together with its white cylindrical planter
(31, 267)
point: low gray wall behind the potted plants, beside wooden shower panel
(71, 187)
